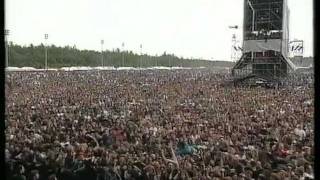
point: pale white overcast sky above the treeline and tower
(188, 28)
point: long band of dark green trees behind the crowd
(33, 56)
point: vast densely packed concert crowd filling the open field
(156, 124)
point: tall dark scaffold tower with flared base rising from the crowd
(265, 41)
